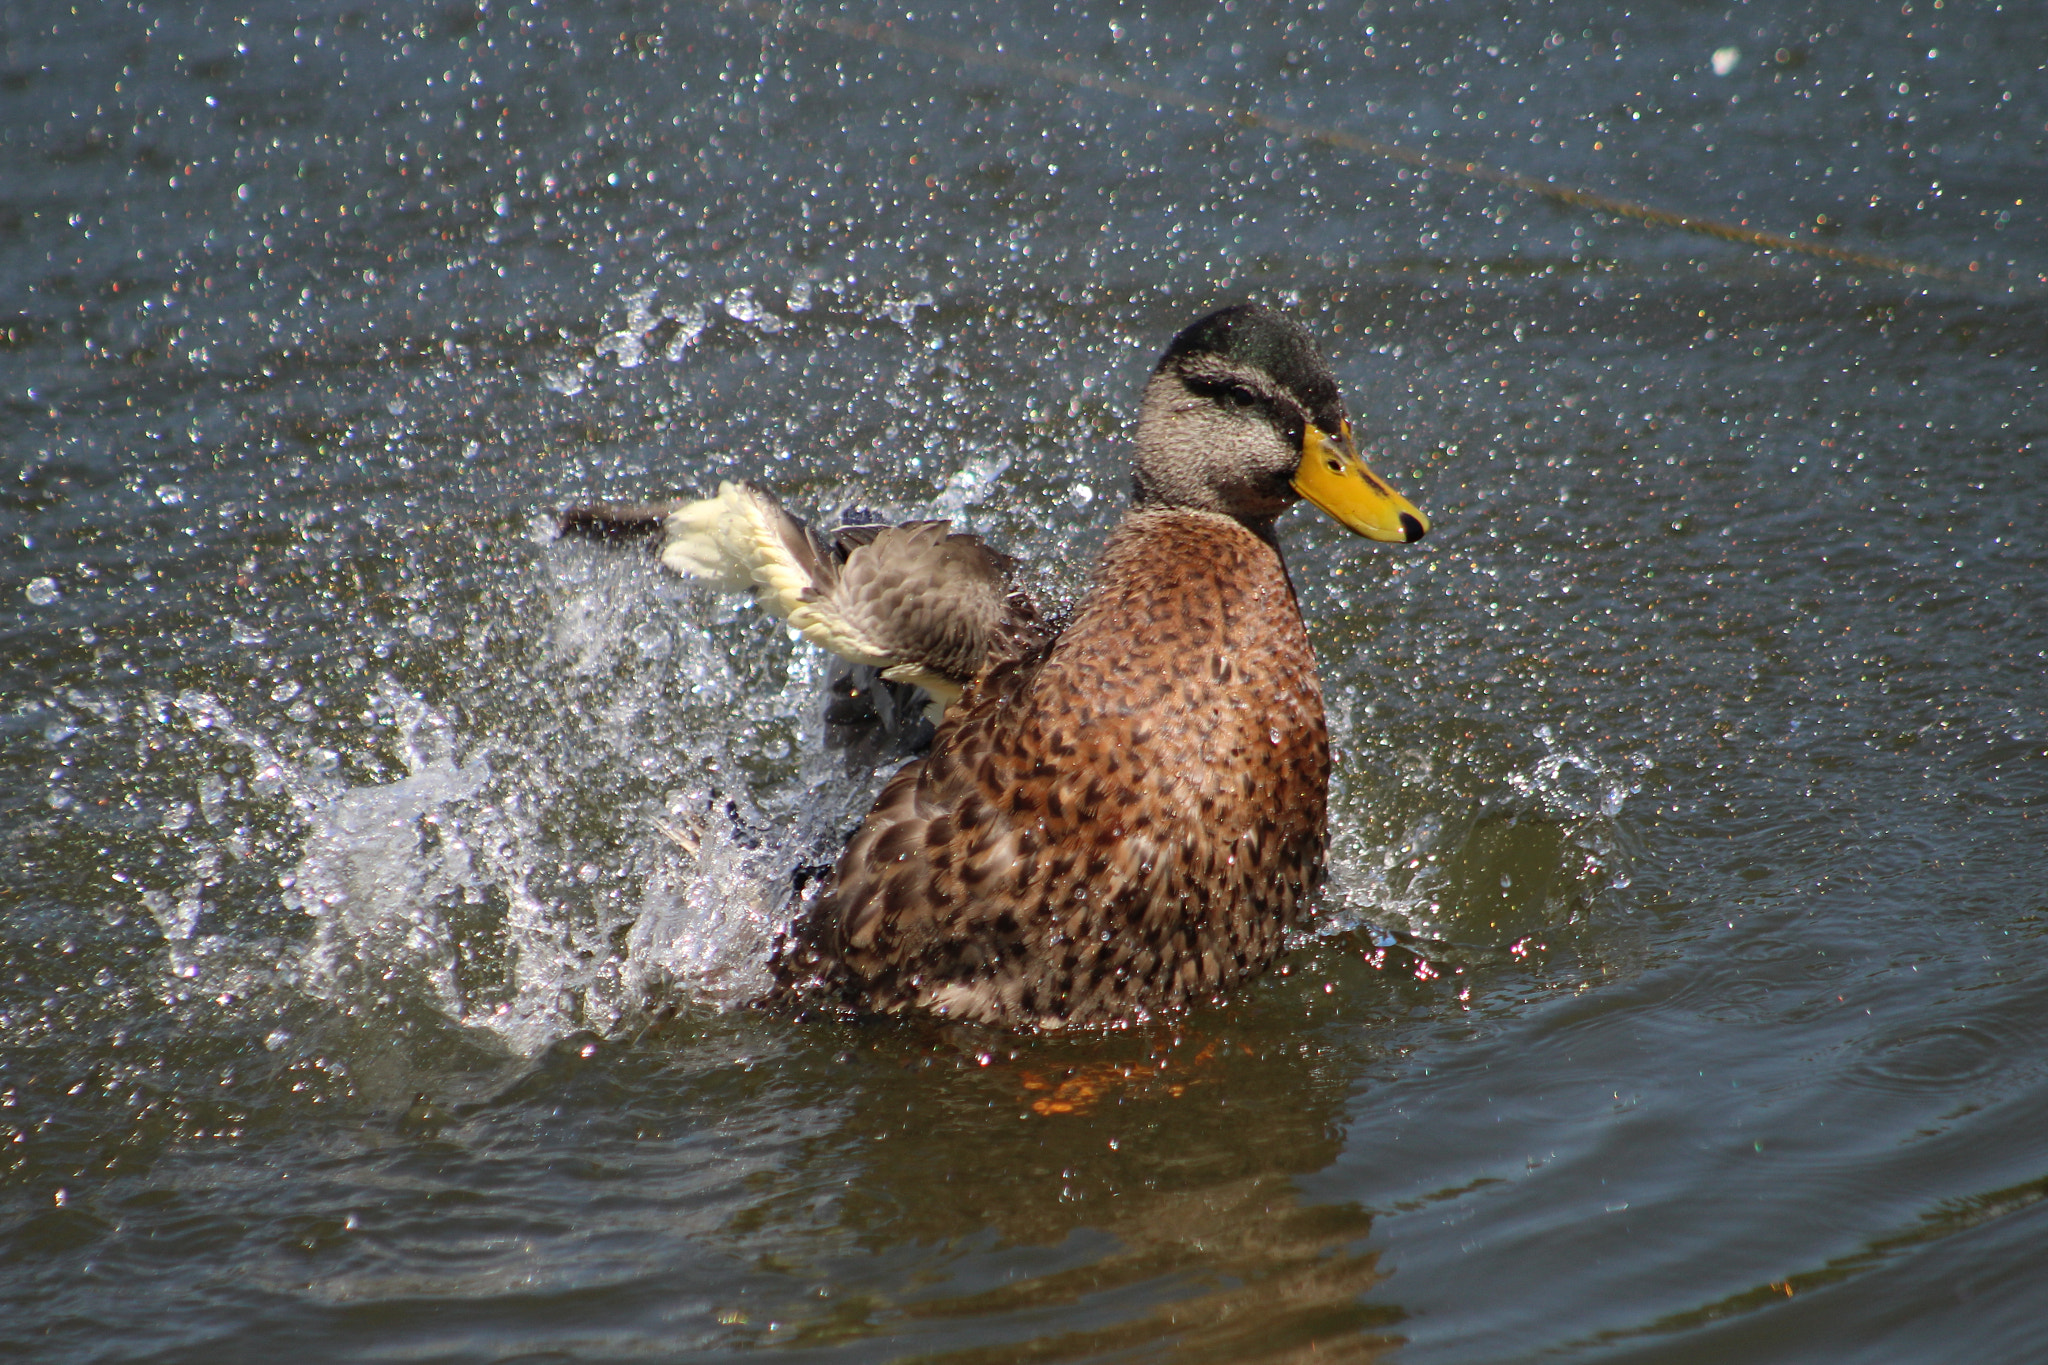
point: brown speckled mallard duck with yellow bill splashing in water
(1121, 816)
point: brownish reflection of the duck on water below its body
(1035, 1186)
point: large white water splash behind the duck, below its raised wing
(546, 842)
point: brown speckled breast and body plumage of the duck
(1123, 822)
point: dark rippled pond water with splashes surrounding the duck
(382, 875)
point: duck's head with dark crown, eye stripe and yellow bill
(1244, 419)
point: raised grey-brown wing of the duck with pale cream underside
(914, 603)
